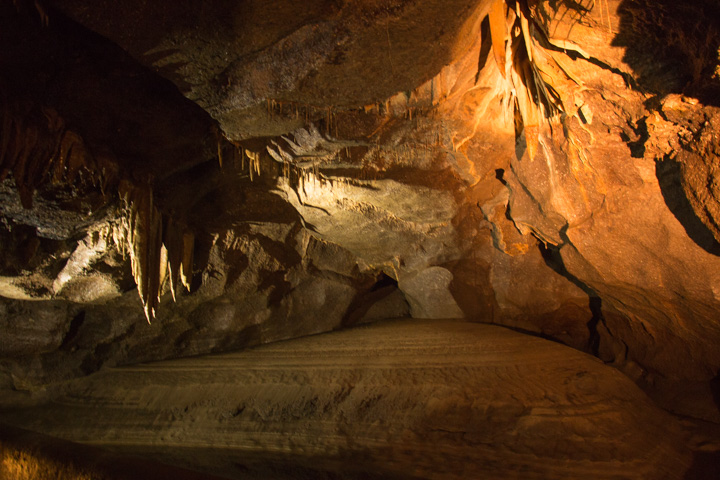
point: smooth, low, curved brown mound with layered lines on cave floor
(425, 398)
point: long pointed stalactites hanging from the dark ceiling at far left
(37, 148)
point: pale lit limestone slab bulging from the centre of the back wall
(383, 222)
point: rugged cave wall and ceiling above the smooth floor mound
(246, 172)
